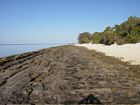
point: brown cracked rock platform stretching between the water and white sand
(68, 75)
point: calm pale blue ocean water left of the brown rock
(7, 50)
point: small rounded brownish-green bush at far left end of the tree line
(84, 37)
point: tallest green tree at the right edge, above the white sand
(129, 31)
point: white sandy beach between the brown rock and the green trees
(127, 52)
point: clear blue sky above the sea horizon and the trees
(60, 21)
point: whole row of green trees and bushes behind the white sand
(127, 32)
